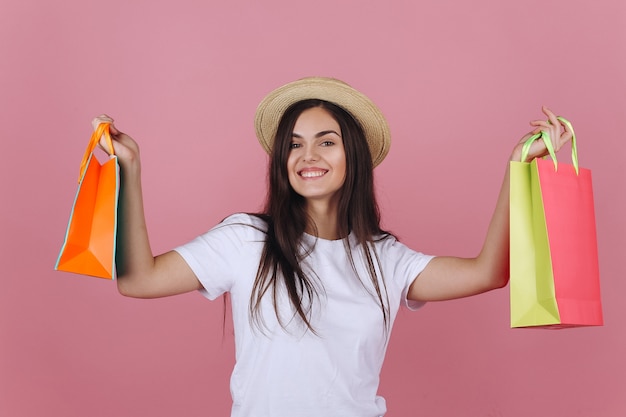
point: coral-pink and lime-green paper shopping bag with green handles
(554, 261)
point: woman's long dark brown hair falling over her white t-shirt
(286, 218)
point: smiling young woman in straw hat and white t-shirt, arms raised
(315, 283)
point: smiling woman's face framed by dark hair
(317, 159)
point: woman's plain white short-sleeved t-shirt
(291, 372)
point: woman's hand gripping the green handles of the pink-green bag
(559, 135)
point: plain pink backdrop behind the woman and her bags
(458, 81)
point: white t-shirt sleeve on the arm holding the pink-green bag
(407, 264)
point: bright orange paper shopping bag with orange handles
(89, 246)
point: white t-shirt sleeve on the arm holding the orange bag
(216, 256)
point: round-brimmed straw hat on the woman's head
(371, 119)
